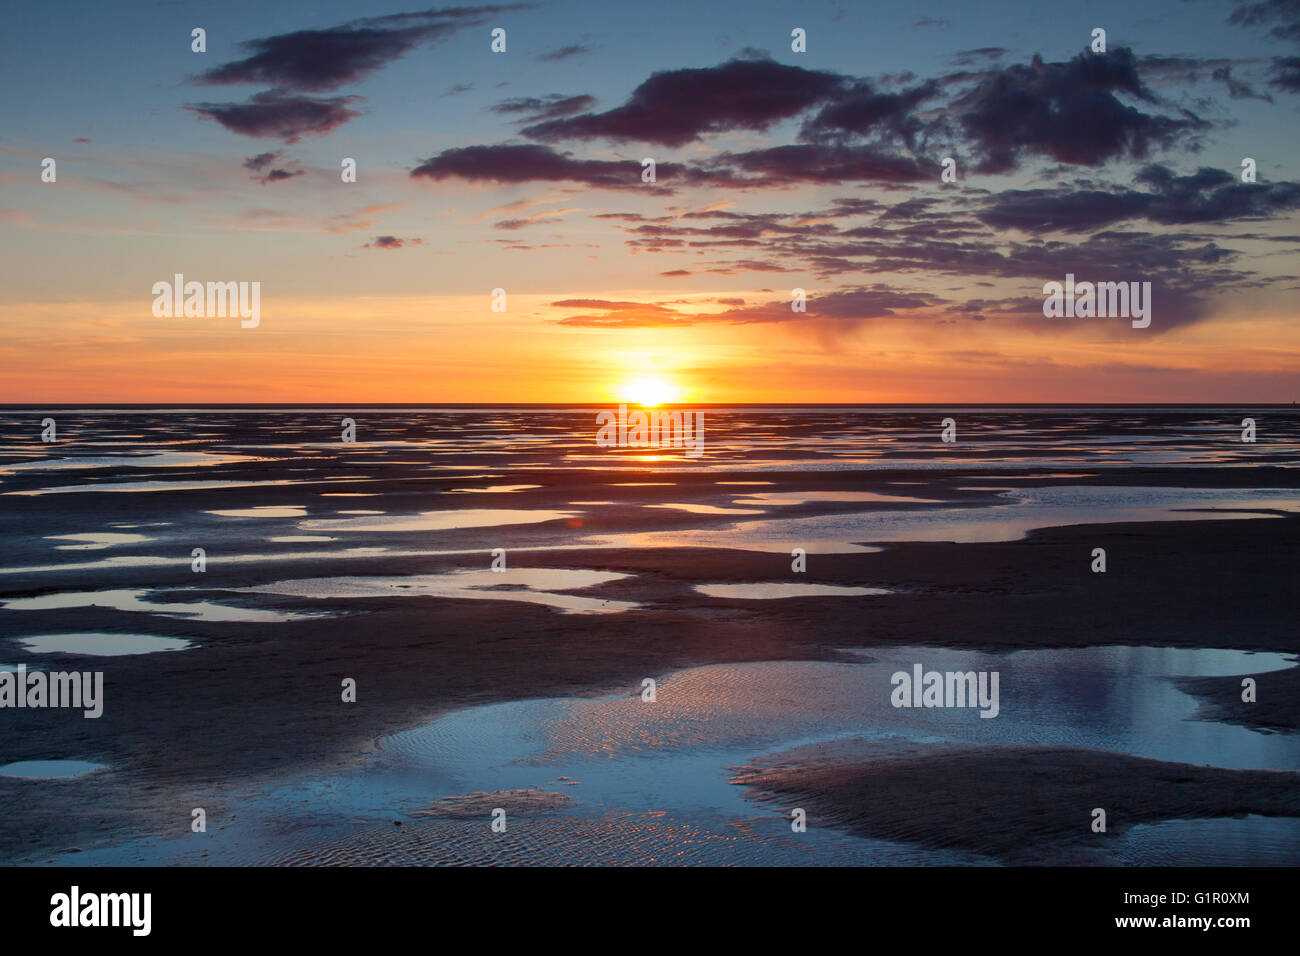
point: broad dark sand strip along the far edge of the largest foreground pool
(253, 706)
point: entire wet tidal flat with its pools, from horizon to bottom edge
(372, 563)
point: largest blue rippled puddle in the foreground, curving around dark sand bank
(621, 780)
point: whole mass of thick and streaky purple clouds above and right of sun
(1087, 111)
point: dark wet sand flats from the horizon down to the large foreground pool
(255, 703)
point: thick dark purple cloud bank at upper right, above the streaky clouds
(855, 131)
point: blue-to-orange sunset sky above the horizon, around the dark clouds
(159, 188)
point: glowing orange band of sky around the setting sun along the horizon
(427, 351)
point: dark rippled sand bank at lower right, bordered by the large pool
(1025, 806)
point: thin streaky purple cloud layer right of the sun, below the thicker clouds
(943, 236)
